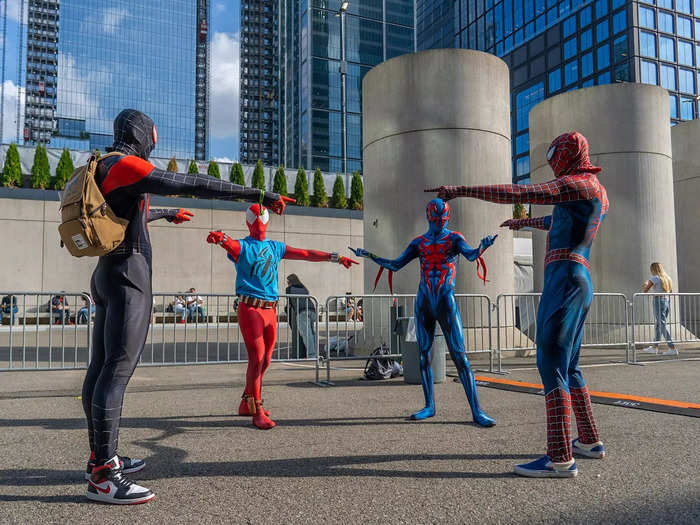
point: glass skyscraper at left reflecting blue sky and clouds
(89, 59)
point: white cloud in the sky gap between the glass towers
(224, 84)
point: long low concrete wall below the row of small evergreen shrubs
(34, 261)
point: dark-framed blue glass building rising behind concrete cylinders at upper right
(554, 46)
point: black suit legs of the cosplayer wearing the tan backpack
(121, 289)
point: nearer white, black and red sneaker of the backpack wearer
(107, 484)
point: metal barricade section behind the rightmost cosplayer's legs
(606, 327)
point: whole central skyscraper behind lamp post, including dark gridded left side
(292, 73)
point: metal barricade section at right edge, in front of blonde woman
(663, 318)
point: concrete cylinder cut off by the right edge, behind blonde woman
(686, 186)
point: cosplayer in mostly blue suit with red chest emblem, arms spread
(439, 250)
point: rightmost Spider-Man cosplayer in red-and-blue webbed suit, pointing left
(580, 204)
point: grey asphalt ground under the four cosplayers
(346, 454)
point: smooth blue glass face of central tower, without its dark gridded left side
(310, 74)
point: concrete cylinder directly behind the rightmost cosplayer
(627, 127)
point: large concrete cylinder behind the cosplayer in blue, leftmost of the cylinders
(430, 118)
